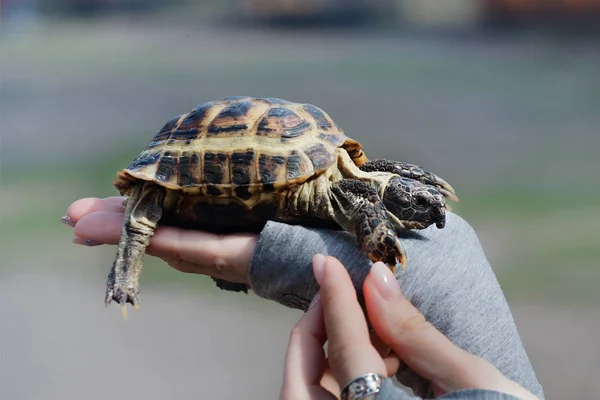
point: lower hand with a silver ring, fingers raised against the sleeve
(338, 319)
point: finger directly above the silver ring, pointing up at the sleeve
(350, 351)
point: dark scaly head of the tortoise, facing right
(416, 205)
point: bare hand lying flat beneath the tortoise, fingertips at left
(99, 221)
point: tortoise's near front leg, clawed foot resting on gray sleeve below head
(361, 212)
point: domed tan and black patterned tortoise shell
(240, 145)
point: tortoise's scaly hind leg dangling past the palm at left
(142, 212)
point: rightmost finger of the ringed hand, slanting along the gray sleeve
(420, 345)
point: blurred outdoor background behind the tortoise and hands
(499, 97)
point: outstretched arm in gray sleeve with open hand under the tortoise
(448, 277)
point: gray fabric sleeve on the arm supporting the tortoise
(448, 279)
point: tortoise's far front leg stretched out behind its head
(411, 171)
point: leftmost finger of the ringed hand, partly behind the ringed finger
(305, 358)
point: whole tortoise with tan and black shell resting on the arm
(233, 164)
